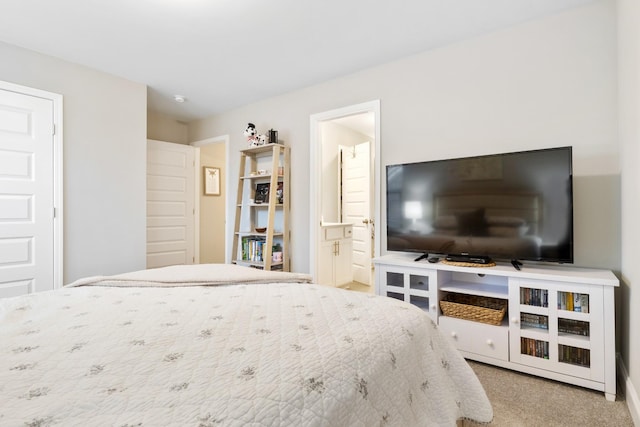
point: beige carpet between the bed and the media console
(525, 400)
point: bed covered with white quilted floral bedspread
(212, 345)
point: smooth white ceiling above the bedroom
(222, 54)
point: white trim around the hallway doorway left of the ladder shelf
(228, 227)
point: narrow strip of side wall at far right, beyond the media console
(629, 114)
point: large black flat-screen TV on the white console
(510, 206)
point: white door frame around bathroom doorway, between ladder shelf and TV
(315, 157)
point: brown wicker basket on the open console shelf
(475, 308)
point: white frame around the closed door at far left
(58, 206)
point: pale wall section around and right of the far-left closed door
(104, 156)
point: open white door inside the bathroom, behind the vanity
(356, 206)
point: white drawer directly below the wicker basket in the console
(478, 338)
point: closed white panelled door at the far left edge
(26, 194)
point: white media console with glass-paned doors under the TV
(559, 324)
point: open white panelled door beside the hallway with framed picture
(170, 204)
